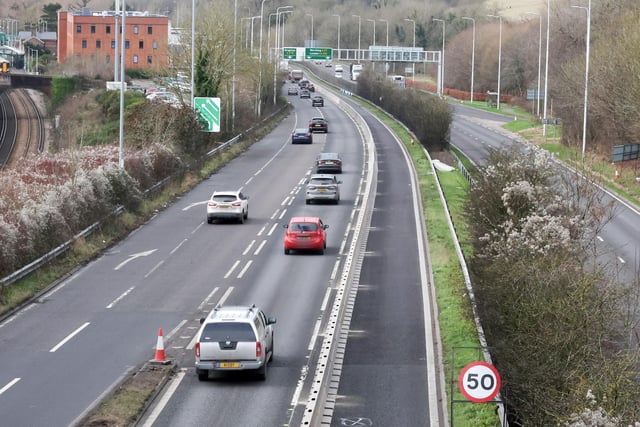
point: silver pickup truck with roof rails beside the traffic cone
(234, 338)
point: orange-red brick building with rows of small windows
(92, 35)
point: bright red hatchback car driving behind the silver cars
(305, 233)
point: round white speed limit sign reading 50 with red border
(479, 382)
